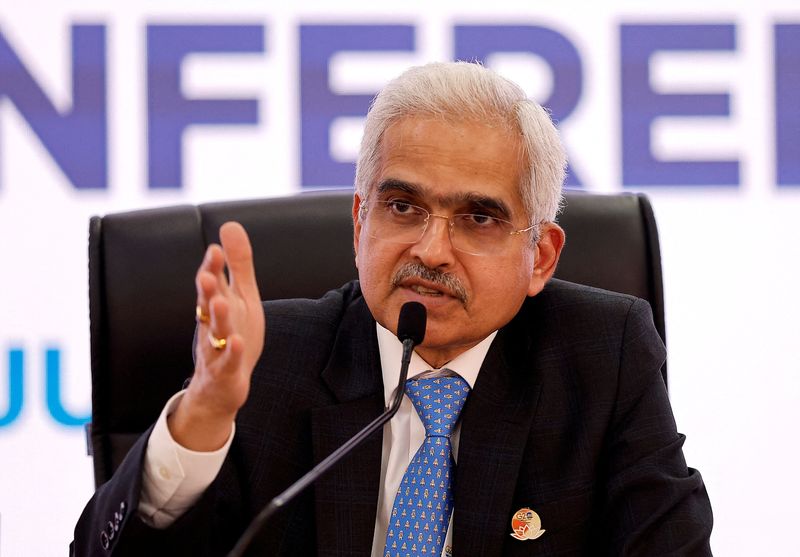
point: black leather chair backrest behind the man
(142, 294)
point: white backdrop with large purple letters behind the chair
(729, 247)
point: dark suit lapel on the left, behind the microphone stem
(346, 497)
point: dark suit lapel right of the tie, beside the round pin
(495, 424)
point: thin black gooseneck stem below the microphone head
(310, 477)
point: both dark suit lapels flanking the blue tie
(495, 424)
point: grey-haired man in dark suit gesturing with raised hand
(565, 445)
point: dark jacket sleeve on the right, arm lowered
(654, 504)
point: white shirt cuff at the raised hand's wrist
(175, 477)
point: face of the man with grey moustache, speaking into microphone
(449, 169)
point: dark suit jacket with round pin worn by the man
(569, 417)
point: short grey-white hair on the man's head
(465, 91)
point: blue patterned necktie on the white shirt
(421, 510)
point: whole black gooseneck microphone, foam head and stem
(411, 331)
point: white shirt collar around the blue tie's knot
(467, 364)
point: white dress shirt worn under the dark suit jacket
(174, 478)
